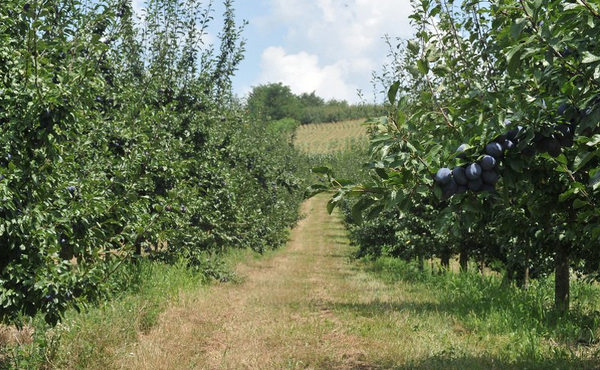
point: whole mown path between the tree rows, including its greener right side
(307, 307)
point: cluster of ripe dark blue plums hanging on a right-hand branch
(483, 174)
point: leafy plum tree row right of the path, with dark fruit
(470, 68)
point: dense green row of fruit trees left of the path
(121, 140)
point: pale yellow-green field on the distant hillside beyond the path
(322, 138)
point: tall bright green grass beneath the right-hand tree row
(487, 305)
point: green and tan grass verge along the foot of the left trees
(100, 332)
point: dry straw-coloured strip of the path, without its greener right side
(280, 316)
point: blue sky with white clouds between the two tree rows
(327, 46)
